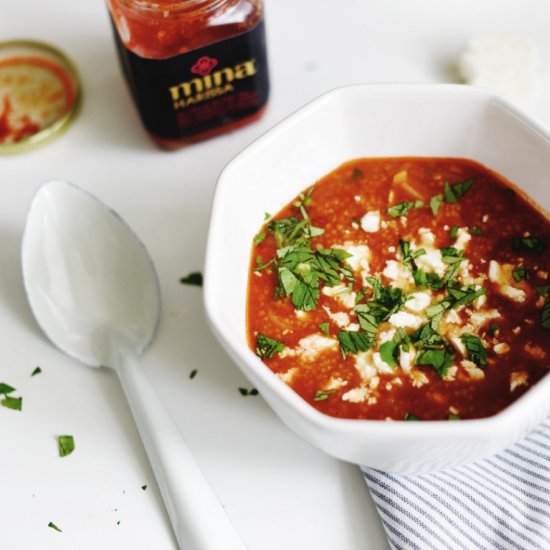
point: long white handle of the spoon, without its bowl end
(198, 519)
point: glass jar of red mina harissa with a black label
(196, 68)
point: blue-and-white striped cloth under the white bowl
(502, 502)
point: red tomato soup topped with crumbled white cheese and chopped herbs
(404, 289)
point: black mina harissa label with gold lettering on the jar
(199, 90)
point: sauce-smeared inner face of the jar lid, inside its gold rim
(36, 93)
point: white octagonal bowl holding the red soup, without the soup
(369, 121)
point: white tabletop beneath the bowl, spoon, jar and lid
(279, 491)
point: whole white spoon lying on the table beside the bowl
(94, 291)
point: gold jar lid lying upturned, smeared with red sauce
(40, 94)
